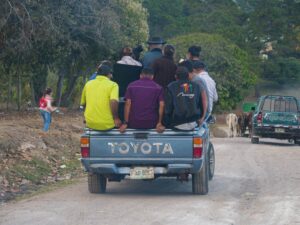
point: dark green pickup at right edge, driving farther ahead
(276, 117)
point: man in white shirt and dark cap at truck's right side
(199, 69)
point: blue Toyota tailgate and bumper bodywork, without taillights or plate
(114, 153)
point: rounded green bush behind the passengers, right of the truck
(226, 63)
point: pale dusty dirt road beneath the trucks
(253, 184)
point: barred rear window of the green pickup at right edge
(279, 105)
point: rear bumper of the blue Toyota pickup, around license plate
(93, 166)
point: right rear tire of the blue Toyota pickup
(200, 180)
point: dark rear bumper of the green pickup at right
(269, 132)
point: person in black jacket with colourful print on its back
(183, 103)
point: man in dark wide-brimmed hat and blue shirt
(155, 51)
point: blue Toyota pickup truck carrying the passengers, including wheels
(146, 154)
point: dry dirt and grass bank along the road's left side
(28, 159)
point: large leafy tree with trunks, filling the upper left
(69, 38)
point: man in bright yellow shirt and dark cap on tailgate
(100, 98)
